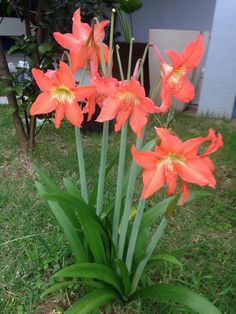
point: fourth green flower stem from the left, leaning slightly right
(128, 201)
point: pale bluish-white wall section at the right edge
(219, 83)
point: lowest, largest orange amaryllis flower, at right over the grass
(174, 158)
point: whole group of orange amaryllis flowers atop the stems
(126, 100)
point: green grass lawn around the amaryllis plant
(202, 235)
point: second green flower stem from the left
(102, 170)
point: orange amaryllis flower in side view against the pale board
(174, 77)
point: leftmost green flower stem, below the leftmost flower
(83, 180)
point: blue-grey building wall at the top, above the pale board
(172, 14)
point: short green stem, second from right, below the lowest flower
(134, 234)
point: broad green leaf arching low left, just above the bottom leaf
(93, 271)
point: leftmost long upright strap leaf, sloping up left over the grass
(67, 227)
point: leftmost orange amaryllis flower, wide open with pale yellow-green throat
(60, 93)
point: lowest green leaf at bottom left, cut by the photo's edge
(92, 301)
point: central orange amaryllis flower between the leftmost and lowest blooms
(125, 99)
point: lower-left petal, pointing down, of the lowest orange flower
(153, 180)
